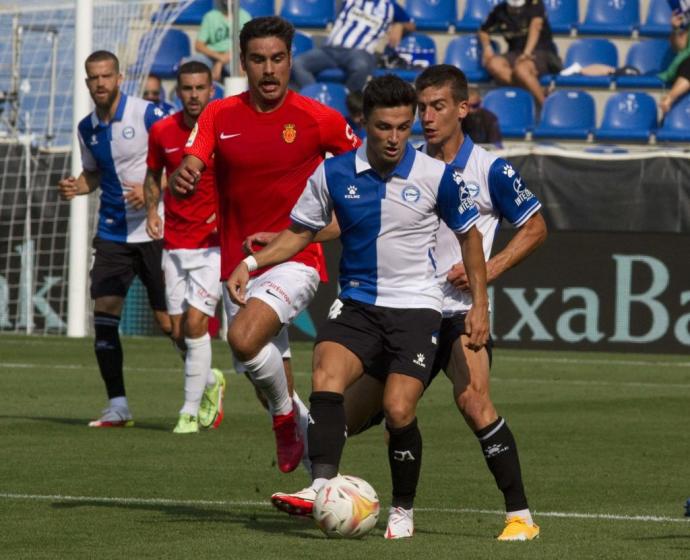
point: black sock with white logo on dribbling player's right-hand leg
(405, 459)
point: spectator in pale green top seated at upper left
(213, 40)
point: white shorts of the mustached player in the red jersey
(288, 289)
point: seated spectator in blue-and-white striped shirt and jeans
(351, 43)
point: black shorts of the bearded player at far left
(115, 265)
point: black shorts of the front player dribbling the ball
(386, 340)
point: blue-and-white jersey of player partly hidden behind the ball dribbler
(499, 192)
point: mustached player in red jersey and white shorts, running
(266, 142)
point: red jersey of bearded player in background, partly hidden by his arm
(190, 223)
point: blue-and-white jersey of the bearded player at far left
(118, 151)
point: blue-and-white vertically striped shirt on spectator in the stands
(362, 23)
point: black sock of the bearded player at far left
(109, 352)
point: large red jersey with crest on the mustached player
(263, 161)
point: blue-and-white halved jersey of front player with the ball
(388, 225)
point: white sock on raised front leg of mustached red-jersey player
(267, 373)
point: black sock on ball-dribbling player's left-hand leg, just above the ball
(326, 433)
